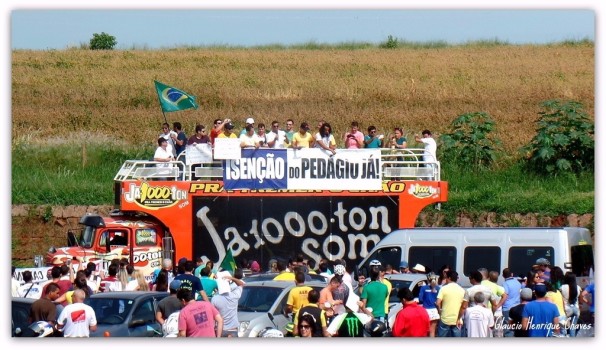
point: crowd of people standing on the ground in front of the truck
(546, 302)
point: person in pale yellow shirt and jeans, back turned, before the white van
(451, 305)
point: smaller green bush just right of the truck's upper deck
(470, 143)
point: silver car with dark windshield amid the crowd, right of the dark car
(262, 305)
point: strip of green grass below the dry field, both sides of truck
(56, 176)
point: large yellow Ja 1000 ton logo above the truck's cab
(154, 197)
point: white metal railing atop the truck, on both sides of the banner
(397, 164)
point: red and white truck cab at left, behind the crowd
(102, 239)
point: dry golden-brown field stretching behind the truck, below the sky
(110, 96)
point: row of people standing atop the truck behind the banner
(171, 143)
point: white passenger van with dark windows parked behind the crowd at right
(467, 249)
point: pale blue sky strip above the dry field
(43, 29)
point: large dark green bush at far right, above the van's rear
(564, 141)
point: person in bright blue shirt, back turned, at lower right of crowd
(540, 317)
